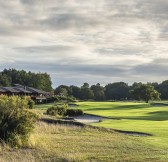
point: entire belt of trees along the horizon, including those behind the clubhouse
(111, 91)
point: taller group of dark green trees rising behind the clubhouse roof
(41, 81)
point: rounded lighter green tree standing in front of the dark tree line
(145, 92)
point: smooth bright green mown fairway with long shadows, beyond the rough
(140, 117)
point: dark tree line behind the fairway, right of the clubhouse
(116, 91)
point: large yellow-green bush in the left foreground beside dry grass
(16, 121)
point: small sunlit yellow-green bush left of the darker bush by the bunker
(57, 110)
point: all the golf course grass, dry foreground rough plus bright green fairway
(71, 143)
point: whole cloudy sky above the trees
(94, 41)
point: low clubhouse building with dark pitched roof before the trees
(37, 95)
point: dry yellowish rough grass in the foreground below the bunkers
(71, 143)
